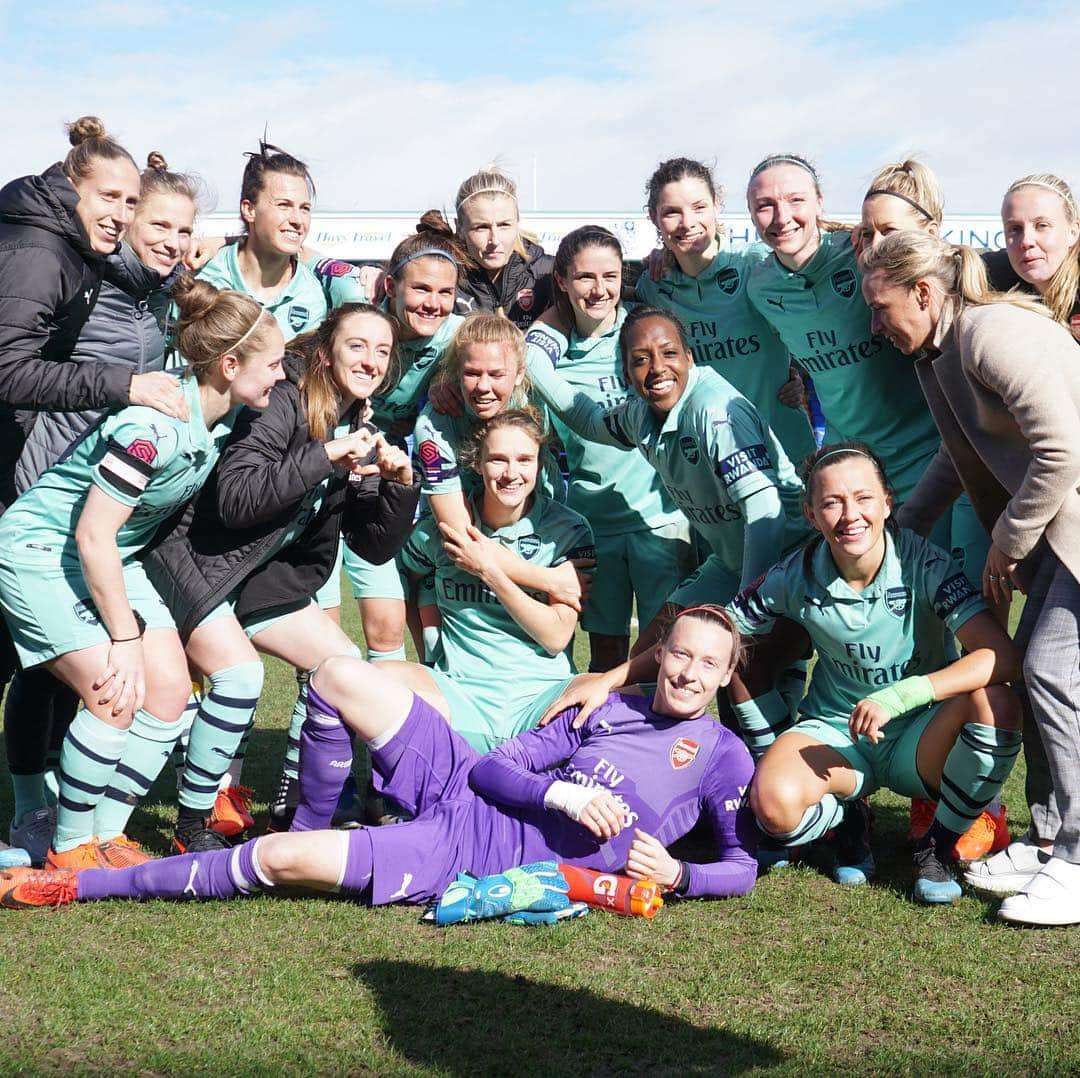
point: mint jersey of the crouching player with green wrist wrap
(899, 626)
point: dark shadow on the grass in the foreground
(468, 1022)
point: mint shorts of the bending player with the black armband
(50, 613)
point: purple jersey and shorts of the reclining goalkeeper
(484, 815)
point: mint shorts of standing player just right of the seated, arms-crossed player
(645, 565)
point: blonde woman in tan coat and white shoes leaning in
(1004, 385)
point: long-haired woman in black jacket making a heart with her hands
(240, 570)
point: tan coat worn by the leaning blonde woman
(1005, 393)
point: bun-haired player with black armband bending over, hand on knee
(79, 602)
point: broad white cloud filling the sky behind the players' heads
(987, 105)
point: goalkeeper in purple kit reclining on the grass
(612, 796)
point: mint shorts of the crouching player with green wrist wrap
(890, 764)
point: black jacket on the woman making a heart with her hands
(221, 541)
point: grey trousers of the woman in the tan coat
(1049, 639)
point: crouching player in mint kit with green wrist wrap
(880, 604)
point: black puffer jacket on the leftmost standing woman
(49, 281)
